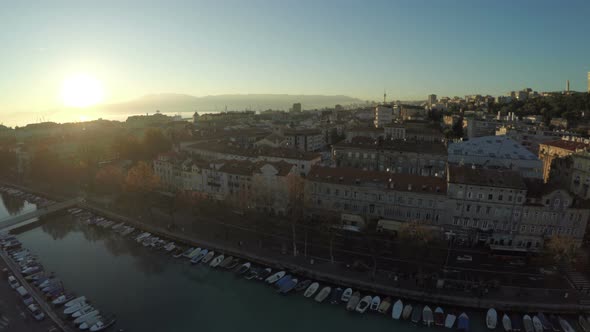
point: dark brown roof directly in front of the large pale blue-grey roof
(486, 177)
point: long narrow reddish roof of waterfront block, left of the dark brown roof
(391, 181)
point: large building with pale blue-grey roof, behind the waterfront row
(496, 152)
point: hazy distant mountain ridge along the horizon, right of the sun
(172, 103)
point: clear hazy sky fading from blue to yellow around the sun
(356, 48)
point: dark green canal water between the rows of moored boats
(149, 291)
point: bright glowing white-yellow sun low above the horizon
(81, 90)
